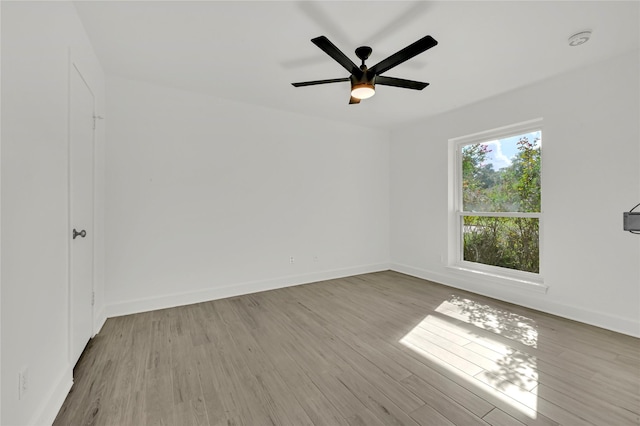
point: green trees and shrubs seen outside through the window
(508, 242)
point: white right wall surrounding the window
(591, 147)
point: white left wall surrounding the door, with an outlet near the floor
(38, 39)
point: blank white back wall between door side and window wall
(208, 198)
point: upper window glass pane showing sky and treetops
(502, 175)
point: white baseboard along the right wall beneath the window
(497, 291)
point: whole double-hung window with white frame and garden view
(497, 201)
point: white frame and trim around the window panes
(455, 258)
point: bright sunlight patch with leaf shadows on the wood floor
(451, 338)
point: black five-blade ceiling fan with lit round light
(364, 79)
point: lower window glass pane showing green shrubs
(507, 242)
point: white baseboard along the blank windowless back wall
(187, 298)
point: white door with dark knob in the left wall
(81, 120)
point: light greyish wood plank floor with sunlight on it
(374, 349)
